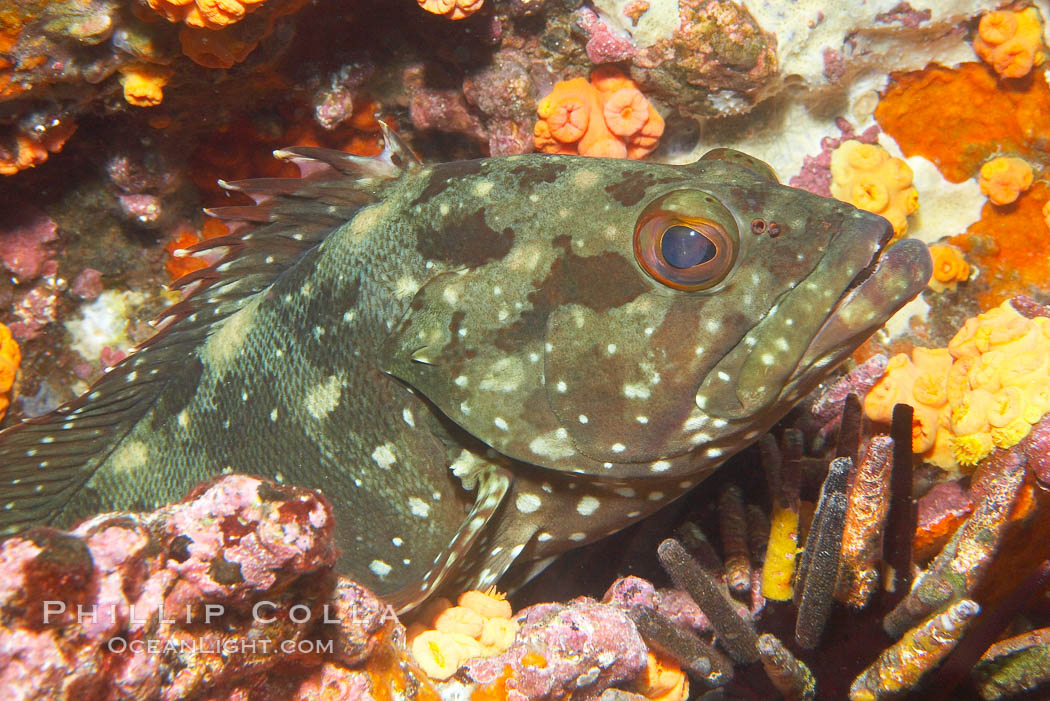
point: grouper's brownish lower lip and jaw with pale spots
(894, 278)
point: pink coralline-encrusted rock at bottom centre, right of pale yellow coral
(574, 652)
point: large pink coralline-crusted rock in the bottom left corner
(224, 596)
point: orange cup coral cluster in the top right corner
(1012, 43)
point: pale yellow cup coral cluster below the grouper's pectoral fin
(481, 626)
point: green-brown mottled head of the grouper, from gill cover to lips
(642, 318)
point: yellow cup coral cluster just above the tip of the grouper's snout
(867, 177)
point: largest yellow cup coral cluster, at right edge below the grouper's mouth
(984, 391)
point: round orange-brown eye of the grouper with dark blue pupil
(686, 241)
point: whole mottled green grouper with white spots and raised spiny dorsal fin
(480, 364)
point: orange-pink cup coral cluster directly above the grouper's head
(607, 118)
